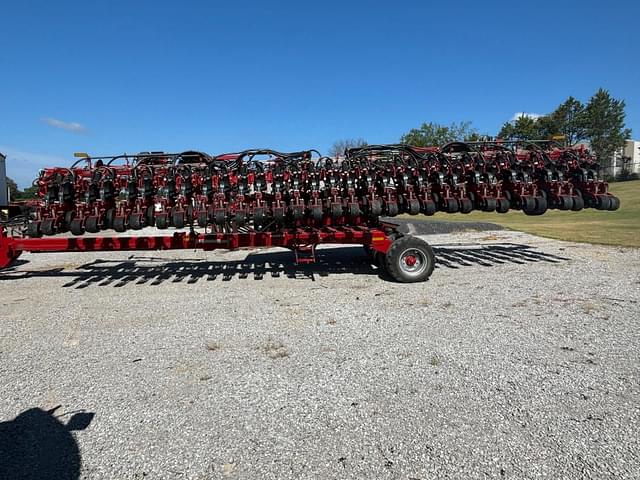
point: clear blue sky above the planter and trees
(108, 77)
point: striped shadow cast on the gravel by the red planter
(351, 260)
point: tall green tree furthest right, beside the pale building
(604, 125)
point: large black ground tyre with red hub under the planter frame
(409, 259)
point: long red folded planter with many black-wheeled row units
(262, 198)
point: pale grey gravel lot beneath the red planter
(518, 359)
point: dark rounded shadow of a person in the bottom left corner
(37, 445)
